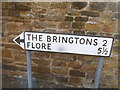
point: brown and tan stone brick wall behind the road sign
(53, 70)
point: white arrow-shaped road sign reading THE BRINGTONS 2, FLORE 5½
(64, 43)
